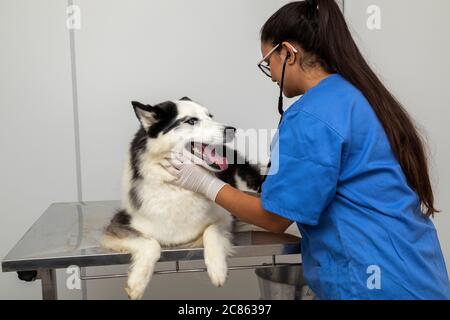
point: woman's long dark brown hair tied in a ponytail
(319, 27)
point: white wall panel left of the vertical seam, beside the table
(36, 129)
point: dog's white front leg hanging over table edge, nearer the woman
(217, 246)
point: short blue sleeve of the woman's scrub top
(302, 180)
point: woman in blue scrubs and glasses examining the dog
(350, 170)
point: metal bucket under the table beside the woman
(283, 283)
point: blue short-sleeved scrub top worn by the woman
(334, 173)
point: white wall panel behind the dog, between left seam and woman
(152, 51)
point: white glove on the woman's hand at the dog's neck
(193, 177)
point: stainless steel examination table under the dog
(68, 234)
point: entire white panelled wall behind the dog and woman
(165, 49)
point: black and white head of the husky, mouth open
(184, 125)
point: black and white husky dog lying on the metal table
(156, 213)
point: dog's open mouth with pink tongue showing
(211, 154)
